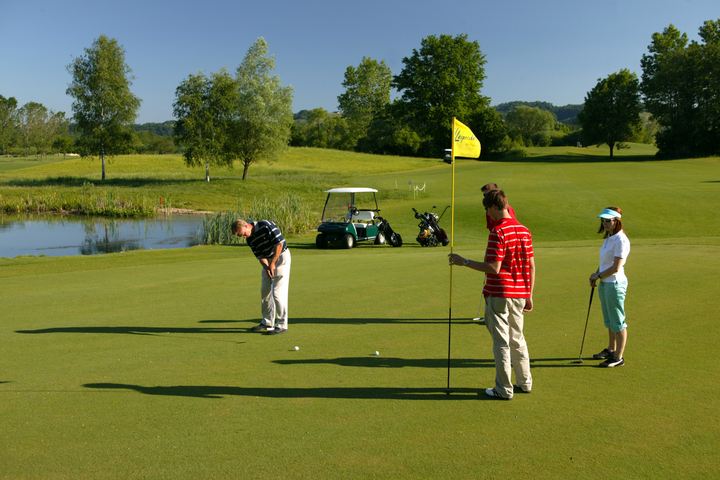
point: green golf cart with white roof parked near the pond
(345, 223)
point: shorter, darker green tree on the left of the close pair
(203, 107)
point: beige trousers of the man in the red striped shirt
(504, 321)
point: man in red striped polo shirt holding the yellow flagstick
(510, 266)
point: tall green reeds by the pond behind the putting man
(288, 211)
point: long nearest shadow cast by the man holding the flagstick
(209, 391)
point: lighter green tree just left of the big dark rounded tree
(367, 91)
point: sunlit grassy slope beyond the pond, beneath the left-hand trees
(307, 171)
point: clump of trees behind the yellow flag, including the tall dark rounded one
(441, 80)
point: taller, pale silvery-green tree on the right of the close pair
(261, 119)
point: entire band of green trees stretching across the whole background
(246, 117)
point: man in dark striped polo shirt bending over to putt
(270, 248)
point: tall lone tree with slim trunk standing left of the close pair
(103, 106)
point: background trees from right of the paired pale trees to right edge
(676, 106)
